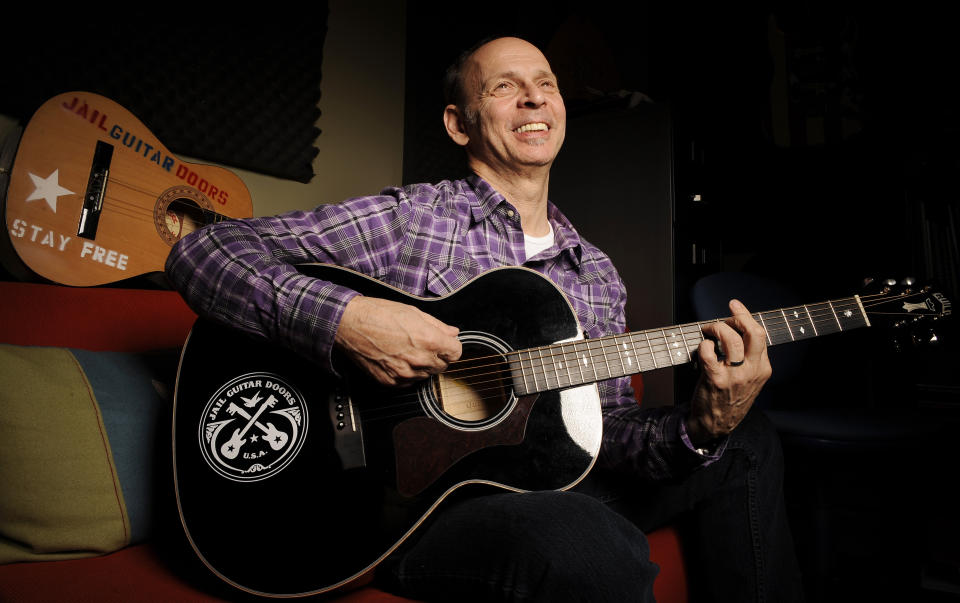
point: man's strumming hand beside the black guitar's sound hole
(395, 343)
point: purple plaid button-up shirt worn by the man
(427, 240)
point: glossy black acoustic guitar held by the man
(290, 482)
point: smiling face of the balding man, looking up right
(520, 117)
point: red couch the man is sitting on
(136, 321)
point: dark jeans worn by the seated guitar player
(589, 544)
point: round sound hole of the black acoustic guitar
(475, 391)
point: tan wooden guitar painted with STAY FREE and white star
(95, 198)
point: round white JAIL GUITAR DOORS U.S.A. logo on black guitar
(253, 427)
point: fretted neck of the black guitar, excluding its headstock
(581, 362)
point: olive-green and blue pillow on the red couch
(80, 432)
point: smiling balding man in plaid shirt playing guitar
(710, 464)
